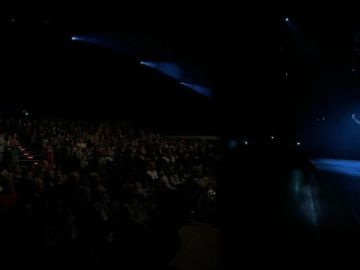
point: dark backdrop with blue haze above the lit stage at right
(316, 49)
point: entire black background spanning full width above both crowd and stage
(242, 52)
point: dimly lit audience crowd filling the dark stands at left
(80, 193)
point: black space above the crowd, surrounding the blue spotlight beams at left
(45, 72)
